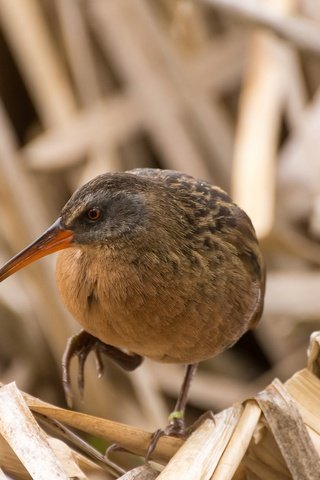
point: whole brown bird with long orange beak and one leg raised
(153, 264)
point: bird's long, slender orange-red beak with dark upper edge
(54, 239)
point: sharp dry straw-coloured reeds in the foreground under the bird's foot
(274, 435)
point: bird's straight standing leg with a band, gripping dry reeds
(176, 426)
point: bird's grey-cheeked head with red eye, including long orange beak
(110, 209)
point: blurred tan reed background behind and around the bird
(223, 90)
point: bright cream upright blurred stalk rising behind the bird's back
(261, 108)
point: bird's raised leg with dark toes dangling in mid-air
(80, 346)
